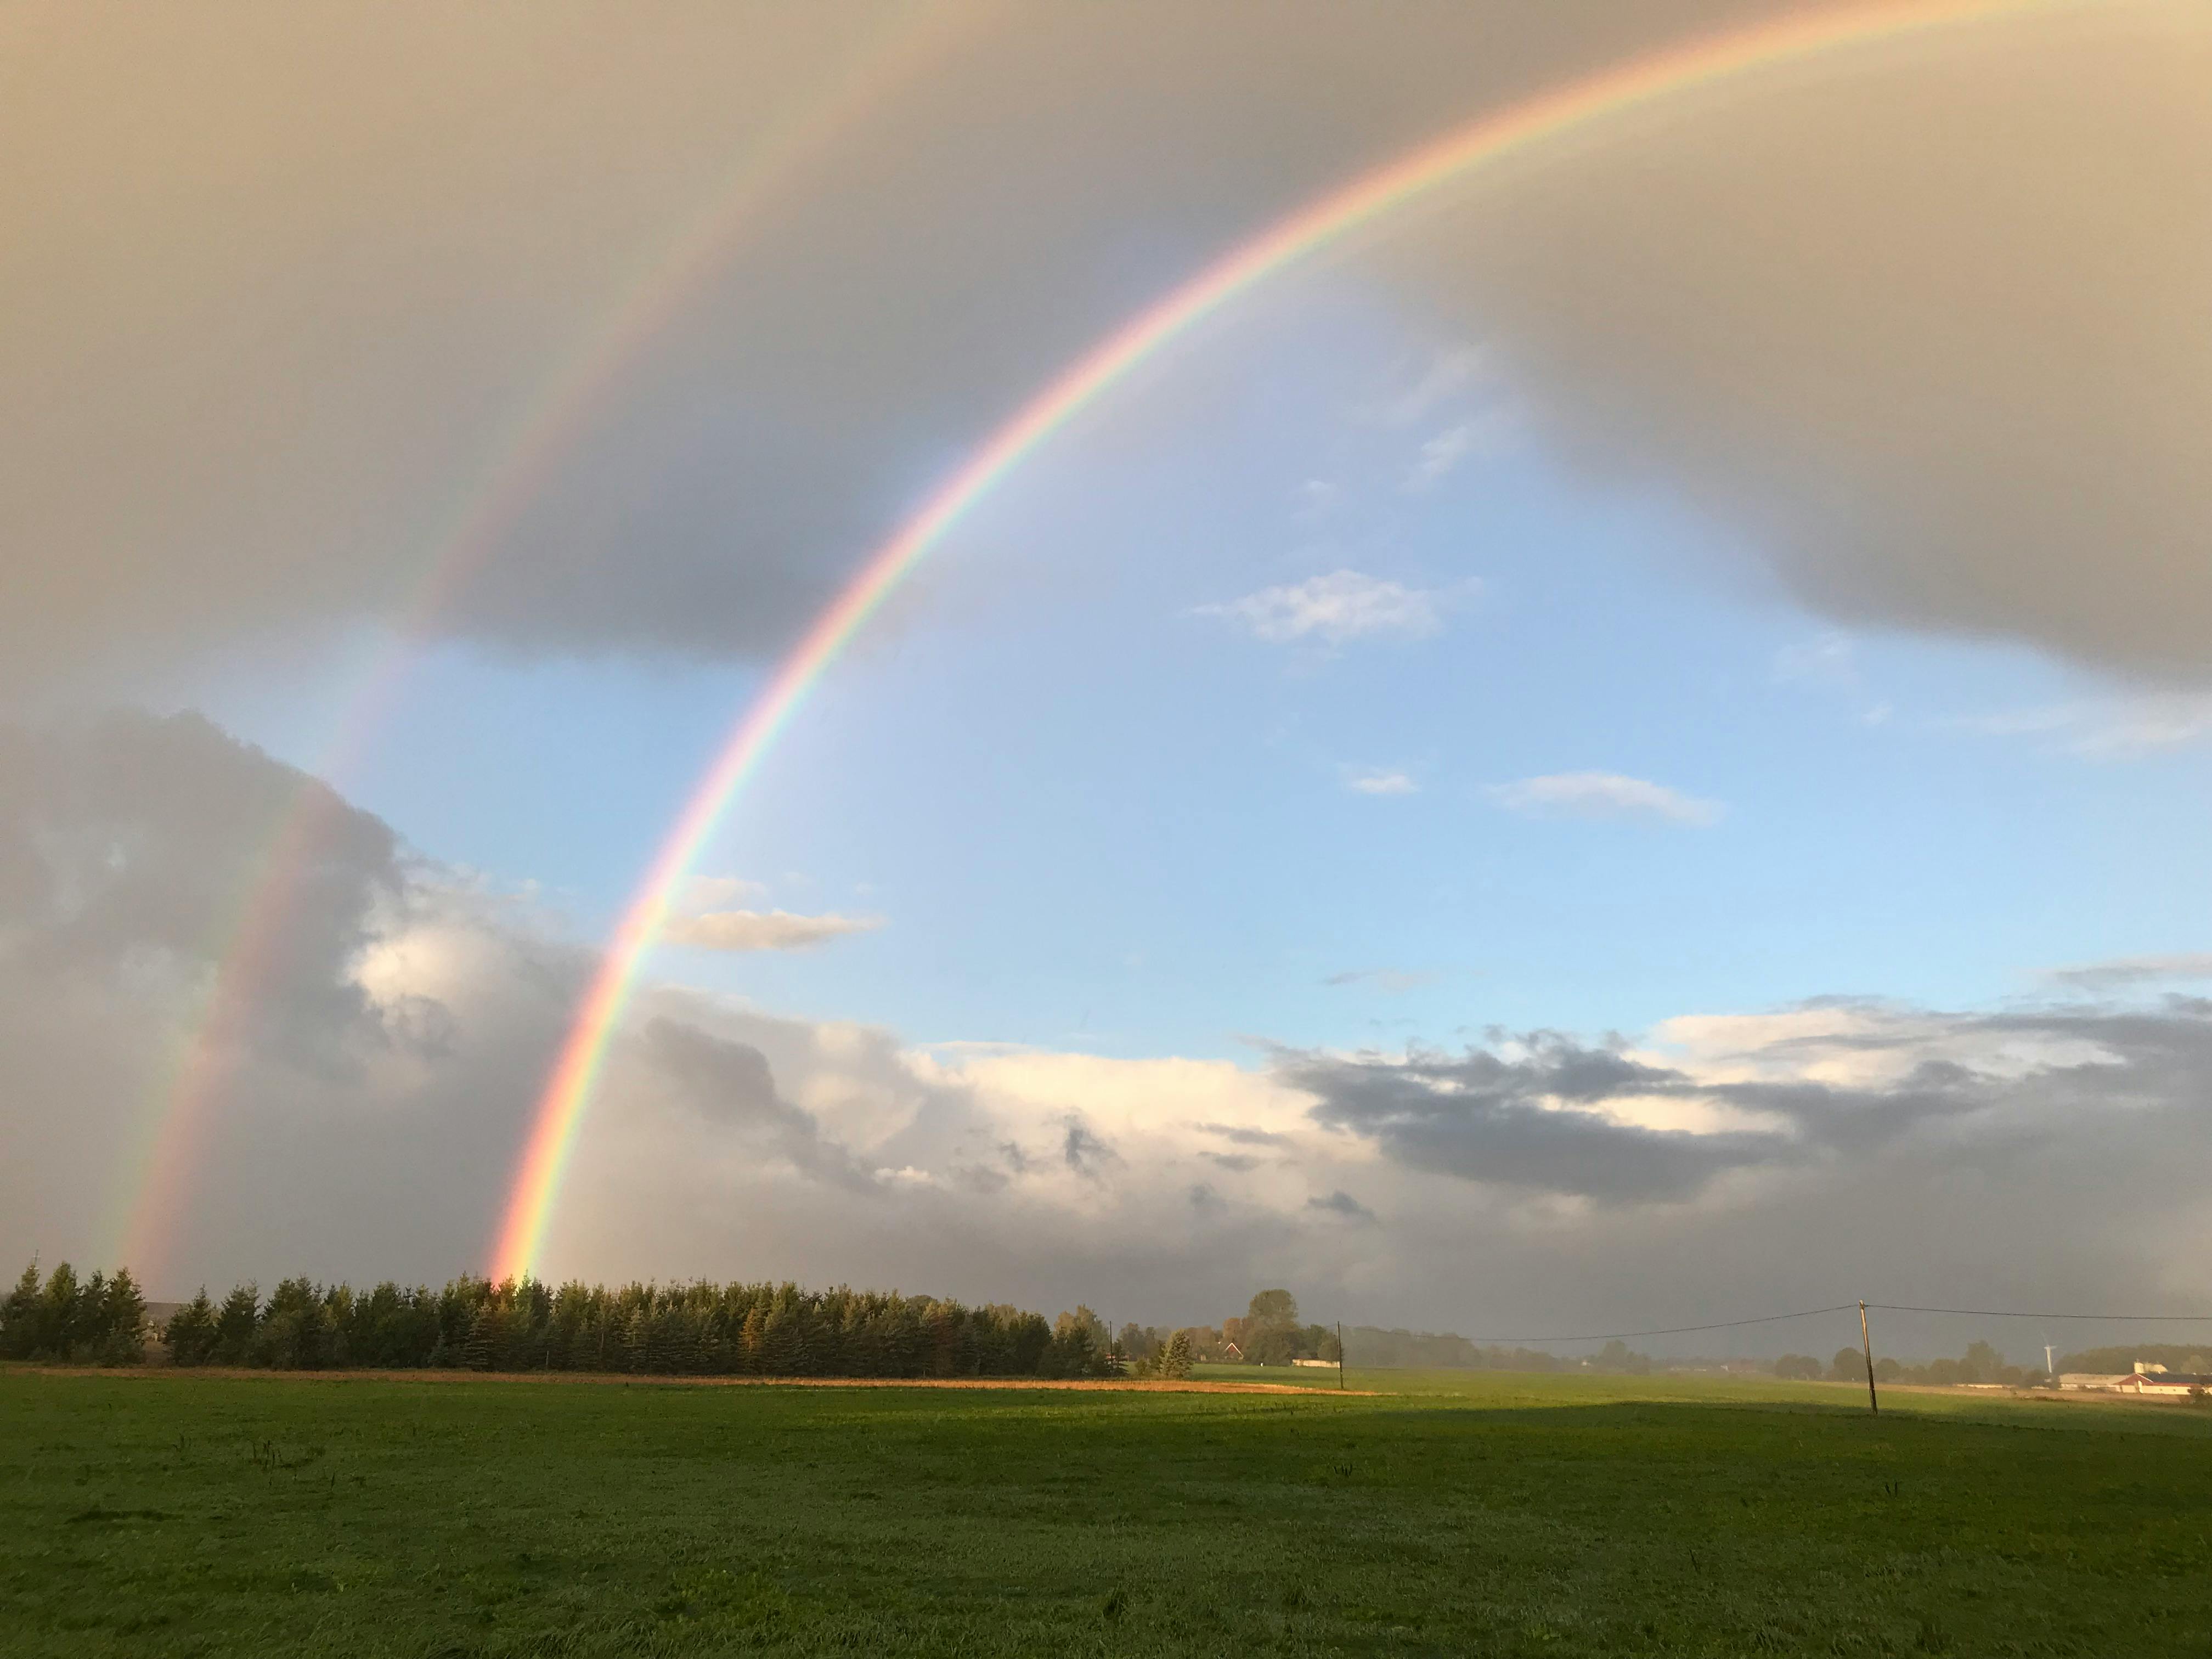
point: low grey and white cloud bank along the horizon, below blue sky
(375, 1103)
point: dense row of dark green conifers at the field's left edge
(525, 1326)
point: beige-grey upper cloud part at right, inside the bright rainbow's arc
(1921, 340)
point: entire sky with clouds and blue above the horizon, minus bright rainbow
(1623, 749)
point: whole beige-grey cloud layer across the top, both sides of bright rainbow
(1921, 340)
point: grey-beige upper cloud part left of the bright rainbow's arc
(289, 293)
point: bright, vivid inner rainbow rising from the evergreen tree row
(1492, 138)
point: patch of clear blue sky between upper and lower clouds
(1094, 806)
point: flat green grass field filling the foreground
(1446, 1514)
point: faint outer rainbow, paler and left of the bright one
(547, 428)
